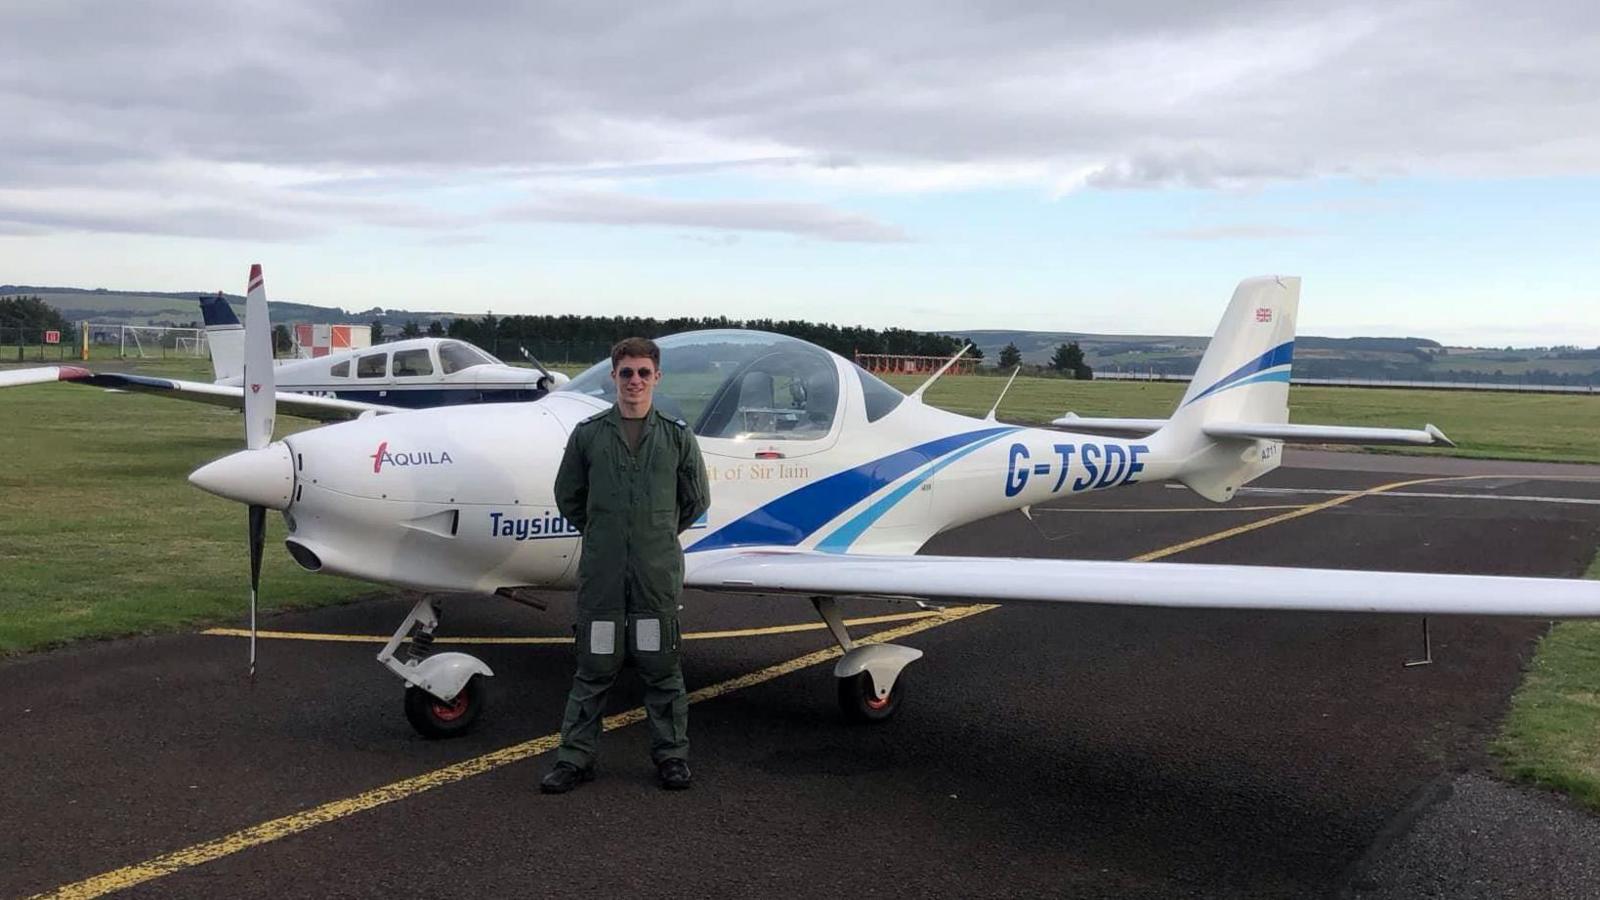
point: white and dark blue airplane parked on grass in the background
(388, 379)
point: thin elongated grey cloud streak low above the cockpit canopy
(801, 220)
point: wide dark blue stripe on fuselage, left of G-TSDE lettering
(794, 516)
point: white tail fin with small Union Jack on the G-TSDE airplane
(1244, 377)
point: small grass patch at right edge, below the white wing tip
(1553, 733)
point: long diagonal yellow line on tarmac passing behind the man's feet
(305, 821)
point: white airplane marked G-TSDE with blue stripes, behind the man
(825, 484)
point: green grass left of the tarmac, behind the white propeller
(103, 536)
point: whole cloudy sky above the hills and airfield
(1428, 169)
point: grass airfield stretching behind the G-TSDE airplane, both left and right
(102, 534)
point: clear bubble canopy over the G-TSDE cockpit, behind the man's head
(738, 385)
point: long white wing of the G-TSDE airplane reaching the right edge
(1138, 584)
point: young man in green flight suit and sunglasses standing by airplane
(631, 481)
